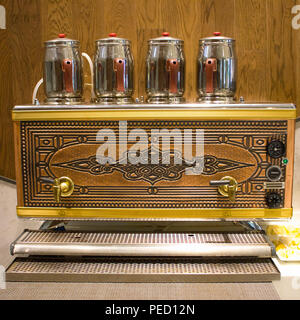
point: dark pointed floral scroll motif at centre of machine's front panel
(152, 173)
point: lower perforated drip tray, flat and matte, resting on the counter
(103, 269)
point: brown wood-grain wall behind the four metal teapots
(268, 48)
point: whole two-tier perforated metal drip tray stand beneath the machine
(143, 252)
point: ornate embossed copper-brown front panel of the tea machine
(51, 149)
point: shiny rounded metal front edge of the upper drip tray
(145, 250)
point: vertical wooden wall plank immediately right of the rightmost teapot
(251, 47)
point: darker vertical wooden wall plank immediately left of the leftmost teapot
(25, 34)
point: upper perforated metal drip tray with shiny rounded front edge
(204, 244)
